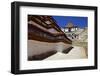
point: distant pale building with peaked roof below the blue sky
(74, 32)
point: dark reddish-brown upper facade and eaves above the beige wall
(44, 28)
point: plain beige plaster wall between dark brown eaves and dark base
(37, 47)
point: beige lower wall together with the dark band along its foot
(40, 50)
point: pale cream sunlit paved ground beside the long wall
(75, 53)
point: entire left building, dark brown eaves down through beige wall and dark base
(45, 37)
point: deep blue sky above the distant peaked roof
(62, 21)
